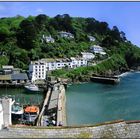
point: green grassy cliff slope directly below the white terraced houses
(114, 65)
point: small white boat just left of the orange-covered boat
(17, 109)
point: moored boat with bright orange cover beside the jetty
(31, 113)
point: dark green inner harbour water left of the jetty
(22, 96)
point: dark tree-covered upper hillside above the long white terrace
(21, 39)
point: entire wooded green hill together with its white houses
(65, 46)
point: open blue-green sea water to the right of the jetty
(92, 103)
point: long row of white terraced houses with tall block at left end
(38, 69)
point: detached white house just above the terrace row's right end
(97, 50)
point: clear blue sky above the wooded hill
(124, 15)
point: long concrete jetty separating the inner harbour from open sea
(53, 109)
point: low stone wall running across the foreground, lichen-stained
(117, 129)
